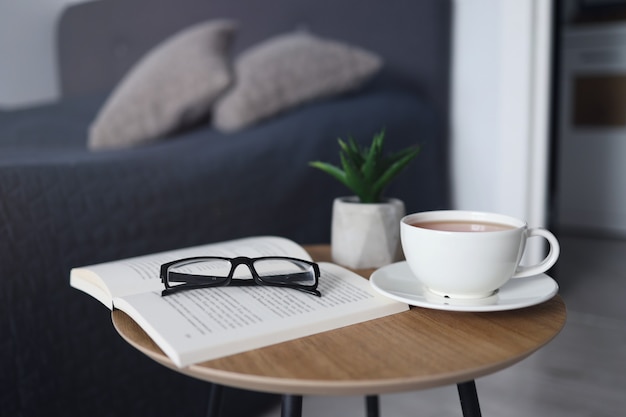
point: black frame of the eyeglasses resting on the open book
(196, 281)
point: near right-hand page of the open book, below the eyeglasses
(199, 325)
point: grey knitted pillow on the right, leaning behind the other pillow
(286, 71)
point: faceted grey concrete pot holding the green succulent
(366, 235)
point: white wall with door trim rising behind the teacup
(500, 106)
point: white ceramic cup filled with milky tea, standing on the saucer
(470, 264)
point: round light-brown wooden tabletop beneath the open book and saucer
(416, 349)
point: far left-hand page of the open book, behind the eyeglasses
(140, 274)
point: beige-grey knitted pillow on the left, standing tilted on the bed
(173, 85)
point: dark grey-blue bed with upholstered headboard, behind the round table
(62, 205)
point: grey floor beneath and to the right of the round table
(581, 373)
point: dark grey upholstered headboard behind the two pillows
(99, 41)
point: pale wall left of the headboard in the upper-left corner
(27, 56)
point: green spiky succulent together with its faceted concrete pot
(365, 231)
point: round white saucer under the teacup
(398, 282)
